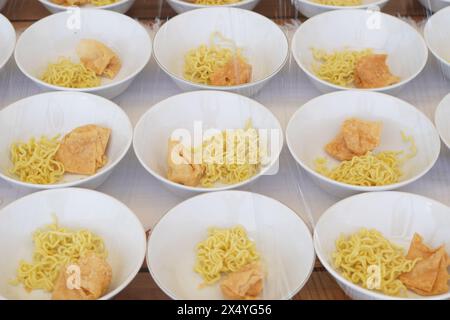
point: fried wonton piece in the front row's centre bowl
(245, 284)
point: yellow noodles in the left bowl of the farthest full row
(65, 73)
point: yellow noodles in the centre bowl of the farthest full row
(202, 62)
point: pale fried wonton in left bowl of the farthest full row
(98, 57)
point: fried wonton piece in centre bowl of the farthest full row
(235, 72)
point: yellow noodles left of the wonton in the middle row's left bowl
(34, 161)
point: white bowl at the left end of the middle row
(58, 113)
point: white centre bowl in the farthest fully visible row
(263, 43)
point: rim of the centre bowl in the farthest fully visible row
(219, 88)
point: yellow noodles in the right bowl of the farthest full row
(338, 67)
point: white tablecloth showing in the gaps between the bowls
(132, 185)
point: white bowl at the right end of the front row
(396, 215)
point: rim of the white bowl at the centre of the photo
(160, 105)
